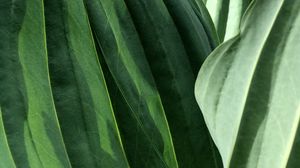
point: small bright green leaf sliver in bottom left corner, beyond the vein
(6, 159)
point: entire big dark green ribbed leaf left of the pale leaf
(150, 52)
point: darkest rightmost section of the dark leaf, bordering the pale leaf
(173, 70)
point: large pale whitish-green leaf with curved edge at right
(248, 90)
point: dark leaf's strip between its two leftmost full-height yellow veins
(81, 98)
